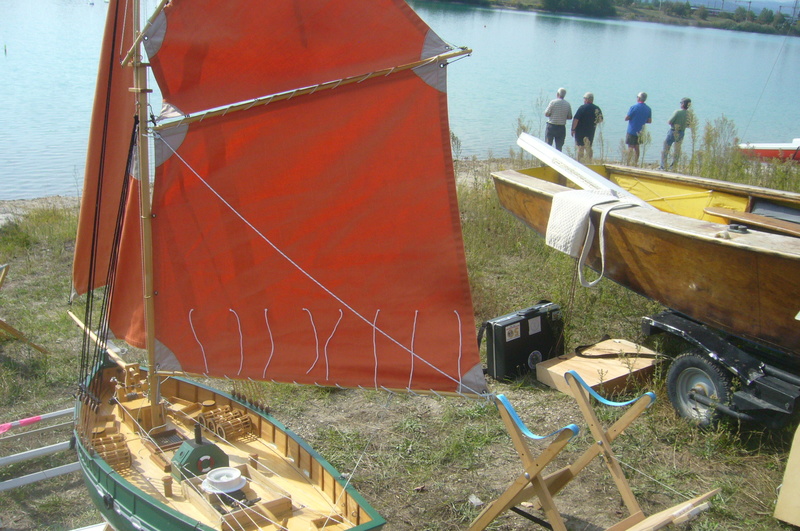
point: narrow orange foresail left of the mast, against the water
(109, 140)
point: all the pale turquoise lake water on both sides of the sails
(50, 49)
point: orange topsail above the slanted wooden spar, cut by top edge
(202, 62)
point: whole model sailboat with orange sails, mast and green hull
(302, 227)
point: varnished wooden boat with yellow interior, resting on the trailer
(743, 283)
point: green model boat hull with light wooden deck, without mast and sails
(138, 483)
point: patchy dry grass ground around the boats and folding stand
(421, 461)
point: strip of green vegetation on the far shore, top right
(660, 11)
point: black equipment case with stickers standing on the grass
(516, 342)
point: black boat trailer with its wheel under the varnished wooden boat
(767, 395)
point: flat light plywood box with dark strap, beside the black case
(608, 366)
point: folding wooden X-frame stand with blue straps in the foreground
(544, 488)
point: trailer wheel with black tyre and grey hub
(695, 372)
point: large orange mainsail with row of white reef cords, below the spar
(317, 240)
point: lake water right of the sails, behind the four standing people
(520, 60)
